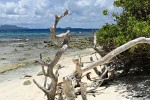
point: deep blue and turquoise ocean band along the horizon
(33, 34)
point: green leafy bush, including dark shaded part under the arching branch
(132, 23)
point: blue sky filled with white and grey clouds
(40, 13)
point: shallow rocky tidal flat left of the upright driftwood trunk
(14, 55)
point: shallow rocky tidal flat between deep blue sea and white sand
(23, 53)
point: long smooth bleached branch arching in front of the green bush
(115, 52)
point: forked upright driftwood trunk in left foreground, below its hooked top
(51, 90)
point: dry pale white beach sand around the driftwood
(11, 82)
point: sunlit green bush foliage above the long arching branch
(130, 24)
